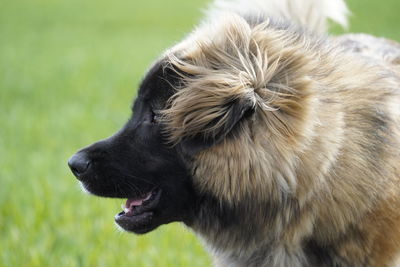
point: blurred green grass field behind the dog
(68, 72)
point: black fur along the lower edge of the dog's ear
(235, 112)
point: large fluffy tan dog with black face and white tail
(278, 145)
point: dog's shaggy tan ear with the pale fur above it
(217, 89)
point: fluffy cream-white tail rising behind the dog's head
(312, 14)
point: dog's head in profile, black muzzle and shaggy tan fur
(214, 117)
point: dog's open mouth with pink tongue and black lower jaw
(138, 212)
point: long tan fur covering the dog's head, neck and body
(319, 160)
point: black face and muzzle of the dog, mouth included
(137, 164)
